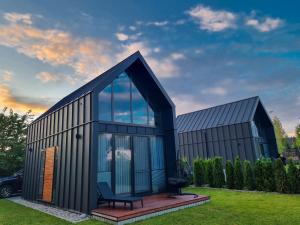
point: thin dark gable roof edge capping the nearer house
(112, 72)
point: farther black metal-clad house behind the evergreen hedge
(242, 128)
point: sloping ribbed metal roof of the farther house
(231, 113)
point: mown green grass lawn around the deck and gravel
(226, 207)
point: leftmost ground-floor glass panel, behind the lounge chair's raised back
(104, 158)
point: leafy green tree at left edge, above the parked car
(13, 131)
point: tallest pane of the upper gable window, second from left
(122, 99)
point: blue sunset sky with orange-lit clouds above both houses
(204, 53)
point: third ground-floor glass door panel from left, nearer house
(141, 164)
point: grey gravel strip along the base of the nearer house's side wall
(53, 211)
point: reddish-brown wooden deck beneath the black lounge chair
(154, 205)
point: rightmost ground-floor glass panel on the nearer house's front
(157, 164)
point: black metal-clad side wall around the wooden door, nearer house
(73, 168)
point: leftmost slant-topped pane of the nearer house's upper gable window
(104, 99)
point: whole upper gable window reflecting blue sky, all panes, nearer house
(122, 102)
